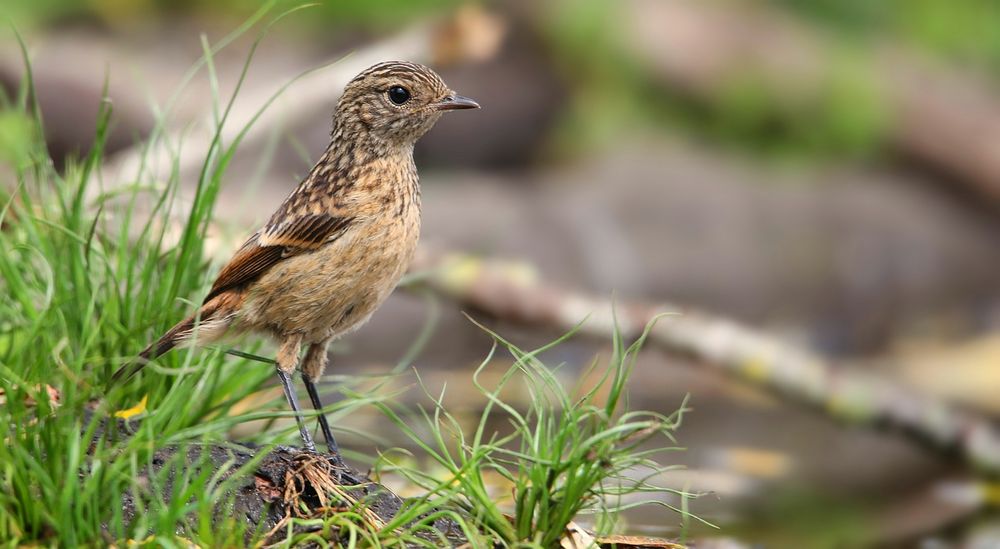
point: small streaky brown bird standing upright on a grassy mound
(336, 247)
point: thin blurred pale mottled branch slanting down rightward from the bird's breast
(511, 291)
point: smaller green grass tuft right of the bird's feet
(572, 452)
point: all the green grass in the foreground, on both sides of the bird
(89, 277)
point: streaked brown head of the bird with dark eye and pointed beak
(396, 102)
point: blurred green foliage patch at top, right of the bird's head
(612, 96)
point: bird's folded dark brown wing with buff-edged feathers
(301, 234)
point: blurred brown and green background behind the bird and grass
(825, 173)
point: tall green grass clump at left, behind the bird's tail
(88, 277)
